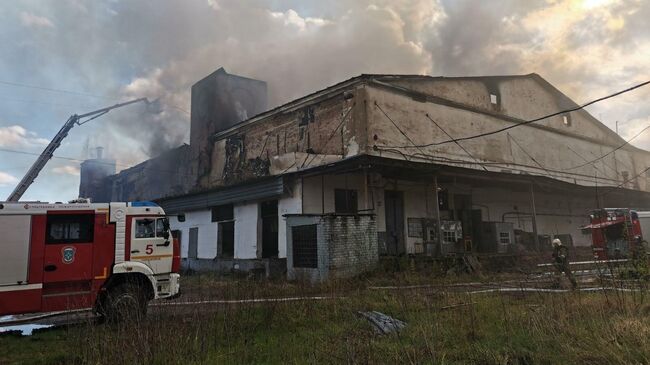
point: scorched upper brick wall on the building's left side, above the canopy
(321, 132)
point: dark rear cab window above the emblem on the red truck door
(70, 228)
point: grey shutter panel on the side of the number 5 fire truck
(14, 238)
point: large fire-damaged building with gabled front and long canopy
(427, 165)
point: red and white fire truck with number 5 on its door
(111, 257)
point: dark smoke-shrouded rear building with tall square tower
(219, 101)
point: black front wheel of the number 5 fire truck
(125, 302)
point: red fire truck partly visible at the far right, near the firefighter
(618, 232)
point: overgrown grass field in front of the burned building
(444, 326)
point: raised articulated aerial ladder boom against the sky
(47, 154)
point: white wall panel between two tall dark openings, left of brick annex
(247, 228)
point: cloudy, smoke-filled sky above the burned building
(64, 57)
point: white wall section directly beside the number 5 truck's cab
(207, 240)
